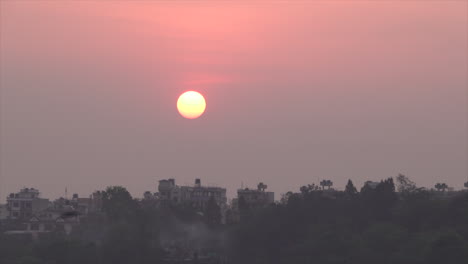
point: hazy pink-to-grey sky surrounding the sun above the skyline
(296, 92)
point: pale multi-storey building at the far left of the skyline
(25, 203)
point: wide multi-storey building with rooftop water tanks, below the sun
(196, 195)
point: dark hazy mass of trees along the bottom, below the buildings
(392, 221)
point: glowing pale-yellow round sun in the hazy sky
(191, 104)
